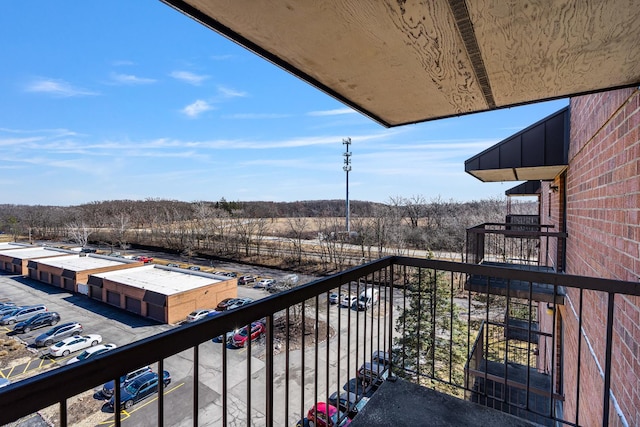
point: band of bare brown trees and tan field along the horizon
(294, 233)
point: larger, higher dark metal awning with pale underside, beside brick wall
(539, 152)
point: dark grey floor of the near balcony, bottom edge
(402, 403)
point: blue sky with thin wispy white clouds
(133, 100)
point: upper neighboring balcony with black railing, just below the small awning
(519, 244)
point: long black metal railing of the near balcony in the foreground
(436, 332)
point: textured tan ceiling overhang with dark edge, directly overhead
(401, 62)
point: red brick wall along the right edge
(603, 212)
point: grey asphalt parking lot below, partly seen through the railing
(119, 327)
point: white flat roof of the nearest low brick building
(161, 280)
